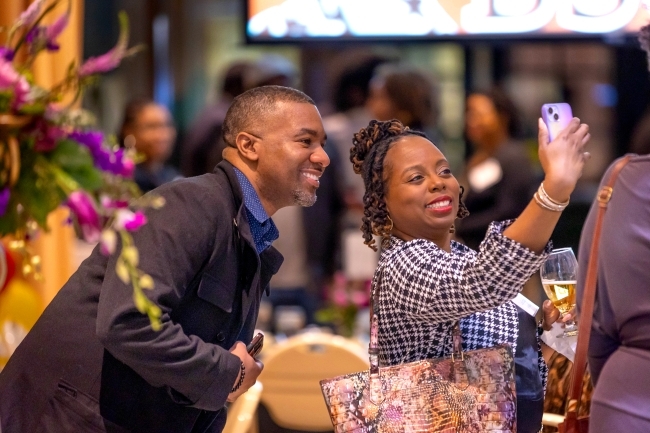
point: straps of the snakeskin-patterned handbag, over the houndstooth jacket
(373, 346)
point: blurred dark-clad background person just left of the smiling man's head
(201, 150)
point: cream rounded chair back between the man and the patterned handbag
(293, 370)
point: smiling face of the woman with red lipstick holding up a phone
(422, 196)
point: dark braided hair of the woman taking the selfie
(369, 148)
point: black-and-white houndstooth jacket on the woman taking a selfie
(425, 290)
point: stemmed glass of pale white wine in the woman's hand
(559, 277)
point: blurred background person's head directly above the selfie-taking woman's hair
(408, 95)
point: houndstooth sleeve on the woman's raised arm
(431, 284)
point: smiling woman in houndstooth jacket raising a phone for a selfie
(429, 282)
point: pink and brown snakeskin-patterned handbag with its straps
(469, 392)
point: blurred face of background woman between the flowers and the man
(154, 133)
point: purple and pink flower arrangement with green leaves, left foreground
(51, 156)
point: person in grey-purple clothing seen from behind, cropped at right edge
(619, 347)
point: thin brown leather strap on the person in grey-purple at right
(589, 295)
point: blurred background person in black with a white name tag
(498, 174)
